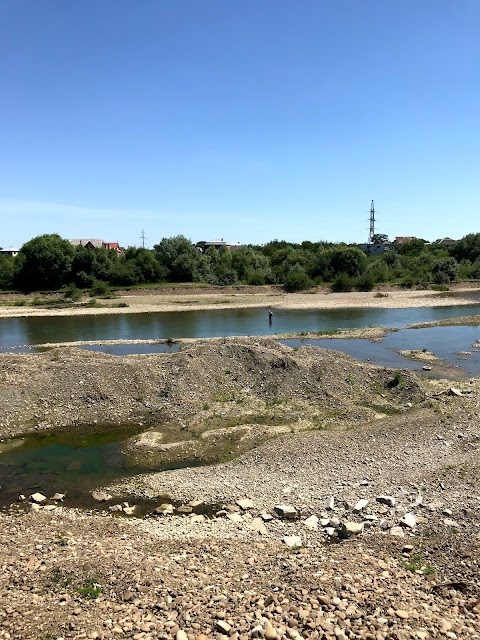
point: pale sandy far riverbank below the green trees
(200, 298)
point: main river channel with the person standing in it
(211, 323)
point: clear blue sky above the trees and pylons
(246, 120)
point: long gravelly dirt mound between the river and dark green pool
(222, 377)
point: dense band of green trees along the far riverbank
(49, 262)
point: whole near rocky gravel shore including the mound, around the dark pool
(359, 519)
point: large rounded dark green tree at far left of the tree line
(43, 263)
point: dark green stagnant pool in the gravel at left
(73, 461)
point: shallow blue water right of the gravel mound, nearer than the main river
(447, 343)
